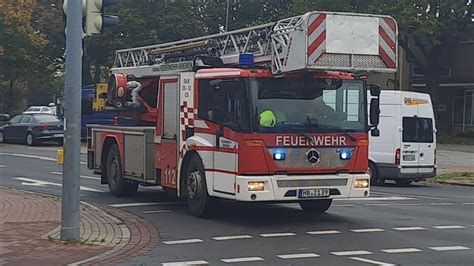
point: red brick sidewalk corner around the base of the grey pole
(29, 231)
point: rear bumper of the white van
(416, 173)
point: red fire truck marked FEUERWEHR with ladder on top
(276, 112)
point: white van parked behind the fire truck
(405, 151)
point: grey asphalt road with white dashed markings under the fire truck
(421, 224)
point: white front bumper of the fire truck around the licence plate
(285, 188)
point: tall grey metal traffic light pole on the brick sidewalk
(70, 215)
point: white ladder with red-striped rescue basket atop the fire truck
(313, 41)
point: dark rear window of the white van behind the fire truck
(416, 129)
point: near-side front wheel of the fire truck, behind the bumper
(199, 201)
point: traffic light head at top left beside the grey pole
(95, 19)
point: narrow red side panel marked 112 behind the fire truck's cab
(166, 143)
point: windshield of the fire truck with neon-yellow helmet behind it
(309, 105)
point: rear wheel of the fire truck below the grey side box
(118, 185)
